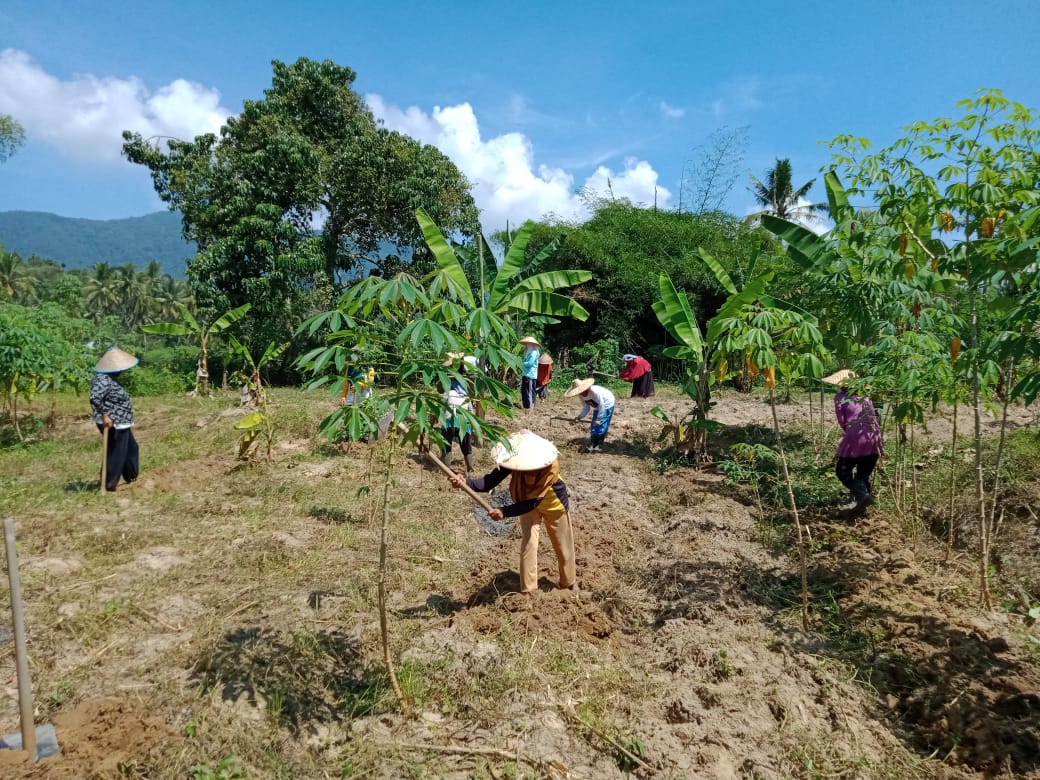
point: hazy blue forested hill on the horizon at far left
(81, 244)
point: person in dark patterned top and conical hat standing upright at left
(114, 410)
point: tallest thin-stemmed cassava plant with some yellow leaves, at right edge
(958, 196)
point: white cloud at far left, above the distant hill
(86, 116)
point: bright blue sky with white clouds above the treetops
(533, 101)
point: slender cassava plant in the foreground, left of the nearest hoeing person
(404, 320)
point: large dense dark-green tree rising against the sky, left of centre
(299, 193)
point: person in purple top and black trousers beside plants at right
(862, 445)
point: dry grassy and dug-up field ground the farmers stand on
(218, 620)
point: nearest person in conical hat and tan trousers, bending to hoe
(539, 498)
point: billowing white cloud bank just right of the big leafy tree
(509, 185)
